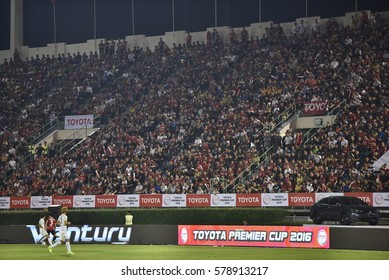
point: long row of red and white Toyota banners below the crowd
(184, 200)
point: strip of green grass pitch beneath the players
(172, 252)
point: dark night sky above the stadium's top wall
(75, 18)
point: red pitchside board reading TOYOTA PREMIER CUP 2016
(258, 236)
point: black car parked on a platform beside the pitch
(343, 209)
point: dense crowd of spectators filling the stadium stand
(177, 118)
